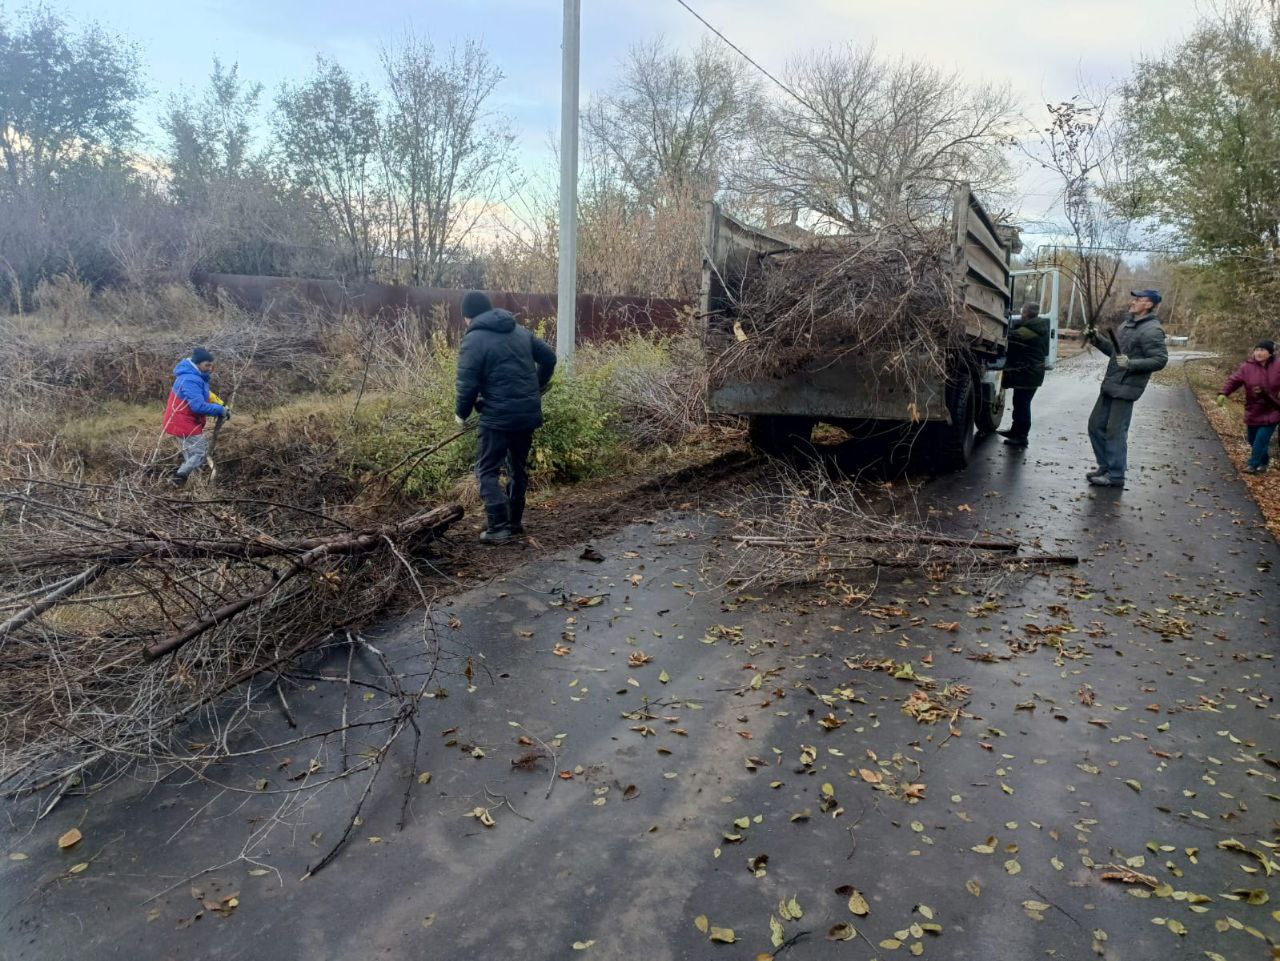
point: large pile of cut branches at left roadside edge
(127, 615)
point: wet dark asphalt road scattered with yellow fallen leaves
(1119, 715)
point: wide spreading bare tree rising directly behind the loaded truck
(863, 143)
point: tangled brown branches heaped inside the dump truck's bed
(893, 294)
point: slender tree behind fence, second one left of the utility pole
(328, 131)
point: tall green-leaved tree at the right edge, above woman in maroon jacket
(1209, 117)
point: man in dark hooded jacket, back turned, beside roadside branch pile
(504, 372)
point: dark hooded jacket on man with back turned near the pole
(506, 369)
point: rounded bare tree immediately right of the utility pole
(674, 122)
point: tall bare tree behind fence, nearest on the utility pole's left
(445, 152)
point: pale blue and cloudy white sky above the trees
(1039, 47)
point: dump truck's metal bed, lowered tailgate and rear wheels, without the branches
(872, 397)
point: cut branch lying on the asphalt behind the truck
(813, 529)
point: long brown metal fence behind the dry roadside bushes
(598, 318)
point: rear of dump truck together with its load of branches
(902, 326)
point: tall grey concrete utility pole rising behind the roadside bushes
(566, 324)
